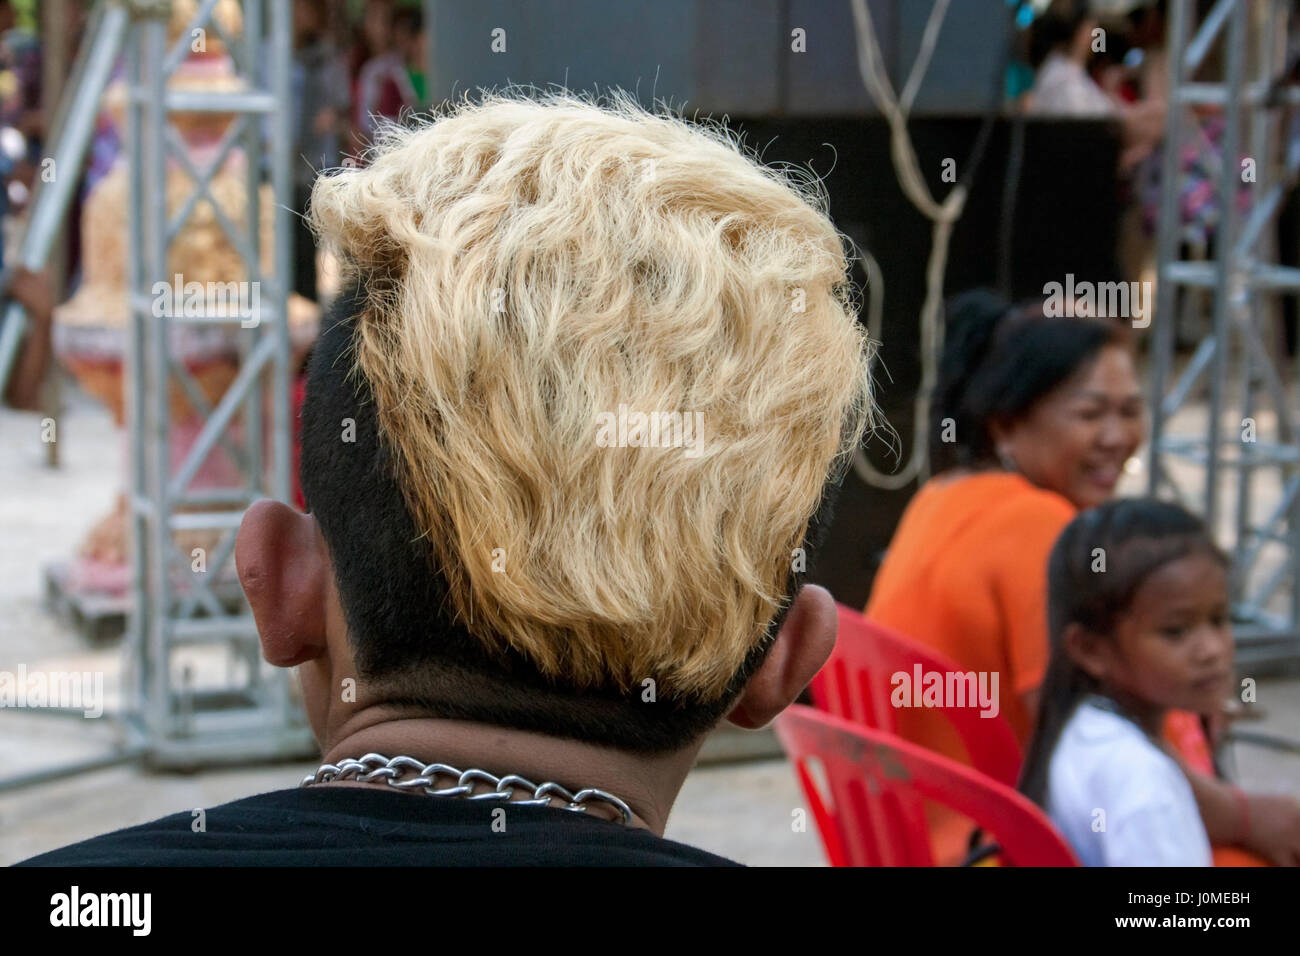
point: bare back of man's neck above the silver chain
(647, 785)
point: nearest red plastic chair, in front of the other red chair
(874, 815)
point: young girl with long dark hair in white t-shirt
(1138, 612)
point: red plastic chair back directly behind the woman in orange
(857, 681)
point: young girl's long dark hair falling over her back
(1134, 538)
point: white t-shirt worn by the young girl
(1119, 799)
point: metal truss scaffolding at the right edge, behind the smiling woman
(1249, 452)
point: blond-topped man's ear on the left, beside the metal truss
(284, 568)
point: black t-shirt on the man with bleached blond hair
(354, 827)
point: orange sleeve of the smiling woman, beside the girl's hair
(1025, 544)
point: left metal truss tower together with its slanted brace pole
(185, 613)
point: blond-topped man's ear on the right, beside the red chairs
(803, 646)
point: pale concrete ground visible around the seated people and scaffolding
(740, 811)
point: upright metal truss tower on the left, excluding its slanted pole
(252, 713)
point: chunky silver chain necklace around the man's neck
(397, 772)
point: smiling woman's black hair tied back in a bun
(998, 362)
